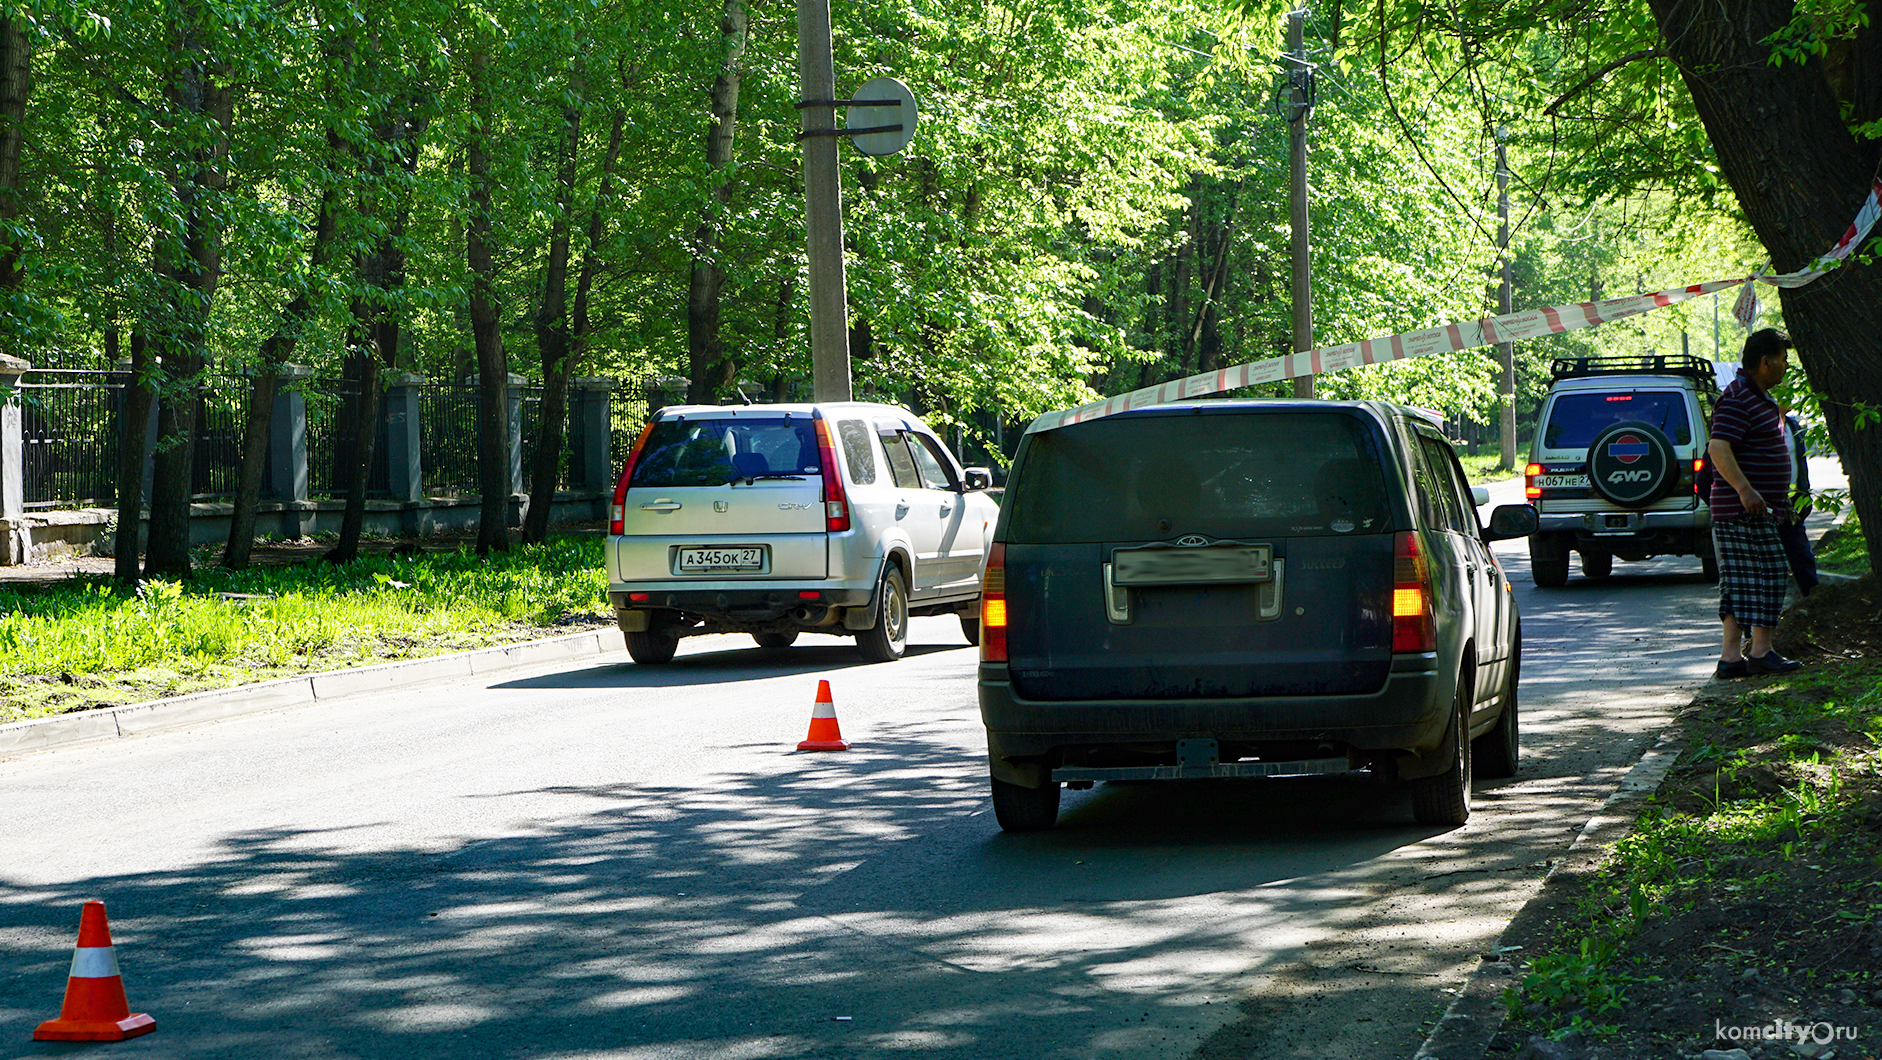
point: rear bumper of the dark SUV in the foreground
(1411, 713)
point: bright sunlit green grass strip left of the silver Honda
(82, 645)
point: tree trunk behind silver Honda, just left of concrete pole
(710, 370)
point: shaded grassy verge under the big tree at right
(1746, 908)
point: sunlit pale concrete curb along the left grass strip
(185, 711)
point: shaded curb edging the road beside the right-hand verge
(1476, 1016)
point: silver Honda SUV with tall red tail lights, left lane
(776, 521)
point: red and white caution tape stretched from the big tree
(1465, 334)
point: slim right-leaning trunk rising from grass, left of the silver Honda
(552, 334)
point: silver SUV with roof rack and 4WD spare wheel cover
(1612, 474)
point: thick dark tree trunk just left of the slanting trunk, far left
(202, 106)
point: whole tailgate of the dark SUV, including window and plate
(1202, 553)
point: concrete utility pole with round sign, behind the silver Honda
(823, 206)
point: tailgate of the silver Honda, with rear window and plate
(726, 494)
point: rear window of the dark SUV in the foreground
(1215, 475)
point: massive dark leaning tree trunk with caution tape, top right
(1800, 176)
